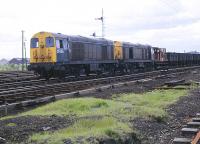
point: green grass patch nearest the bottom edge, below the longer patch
(107, 126)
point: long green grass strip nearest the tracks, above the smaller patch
(124, 105)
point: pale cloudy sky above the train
(170, 24)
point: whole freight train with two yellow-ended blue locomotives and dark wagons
(57, 55)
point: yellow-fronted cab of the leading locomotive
(46, 50)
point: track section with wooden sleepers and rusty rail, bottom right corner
(190, 133)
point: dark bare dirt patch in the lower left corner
(26, 125)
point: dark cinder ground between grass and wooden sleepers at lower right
(154, 132)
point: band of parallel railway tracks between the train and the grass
(18, 92)
